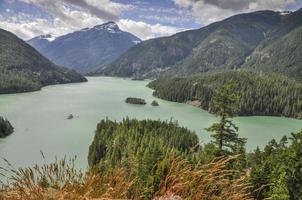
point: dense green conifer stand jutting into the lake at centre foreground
(141, 147)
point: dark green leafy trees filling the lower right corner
(277, 169)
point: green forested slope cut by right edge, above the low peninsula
(282, 55)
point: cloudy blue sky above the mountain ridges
(144, 18)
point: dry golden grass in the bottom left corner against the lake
(60, 180)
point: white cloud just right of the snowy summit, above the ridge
(147, 31)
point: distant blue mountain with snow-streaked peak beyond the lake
(87, 49)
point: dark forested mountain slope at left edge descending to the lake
(24, 69)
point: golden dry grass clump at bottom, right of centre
(204, 182)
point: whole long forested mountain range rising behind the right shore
(263, 40)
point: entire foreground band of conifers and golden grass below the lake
(131, 160)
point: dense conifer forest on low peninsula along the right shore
(260, 93)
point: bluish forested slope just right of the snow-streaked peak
(155, 55)
